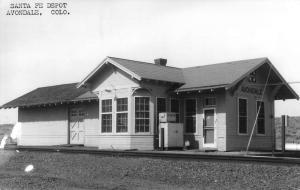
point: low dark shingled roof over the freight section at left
(51, 95)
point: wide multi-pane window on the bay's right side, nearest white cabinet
(142, 114)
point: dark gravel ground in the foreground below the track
(83, 171)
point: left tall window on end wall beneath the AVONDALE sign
(243, 117)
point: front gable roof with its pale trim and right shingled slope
(141, 70)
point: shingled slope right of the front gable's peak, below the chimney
(152, 71)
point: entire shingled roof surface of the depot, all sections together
(192, 78)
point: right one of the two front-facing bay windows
(122, 114)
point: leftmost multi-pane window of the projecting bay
(106, 116)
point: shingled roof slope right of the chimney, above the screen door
(218, 75)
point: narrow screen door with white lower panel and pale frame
(209, 128)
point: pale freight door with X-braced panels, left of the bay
(76, 126)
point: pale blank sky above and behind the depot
(46, 50)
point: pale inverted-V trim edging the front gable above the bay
(107, 60)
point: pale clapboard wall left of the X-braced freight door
(43, 126)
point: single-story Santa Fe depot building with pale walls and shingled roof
(117, 106)
